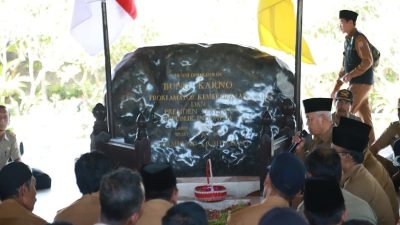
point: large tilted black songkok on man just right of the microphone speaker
(351, 134)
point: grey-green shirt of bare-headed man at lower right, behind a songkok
(356, 208)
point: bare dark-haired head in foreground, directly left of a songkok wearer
(121, 197)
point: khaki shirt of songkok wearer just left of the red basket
(153, 212)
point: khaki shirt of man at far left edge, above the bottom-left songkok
(8, 148)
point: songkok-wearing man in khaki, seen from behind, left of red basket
(161, 192)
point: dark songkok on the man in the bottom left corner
(12, 176)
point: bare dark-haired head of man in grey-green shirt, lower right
(324, 162)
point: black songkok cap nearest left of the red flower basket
(157, 176)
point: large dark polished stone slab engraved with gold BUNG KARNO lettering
(202, 101)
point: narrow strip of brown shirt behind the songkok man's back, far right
(379, 172)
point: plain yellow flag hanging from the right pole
(277, 28)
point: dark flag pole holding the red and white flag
(110, 122)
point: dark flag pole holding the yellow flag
(299, 22)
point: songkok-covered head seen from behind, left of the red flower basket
(159, 181)
